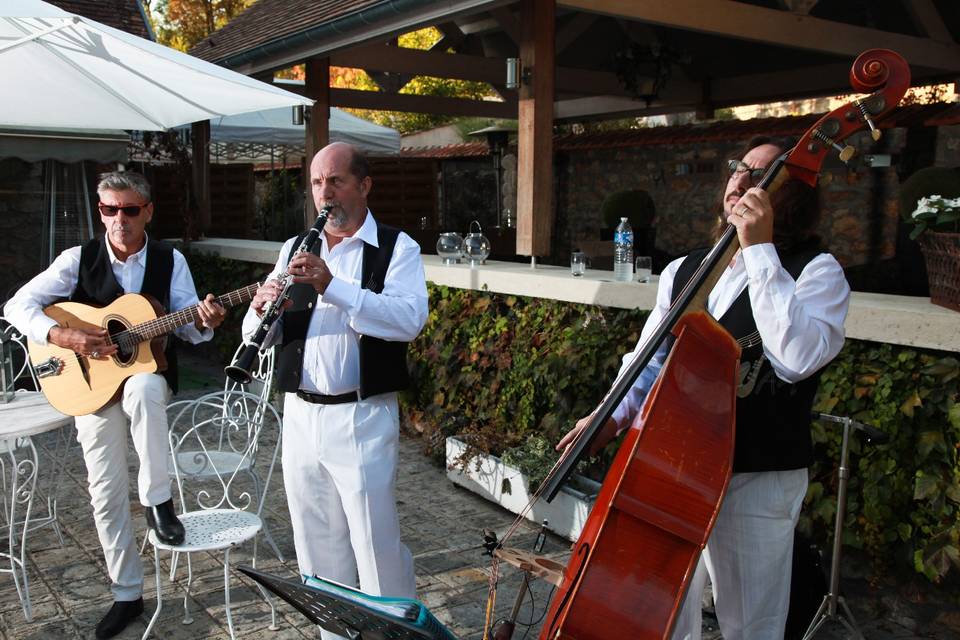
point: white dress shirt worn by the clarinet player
(346, 311)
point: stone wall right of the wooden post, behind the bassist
(859, 222)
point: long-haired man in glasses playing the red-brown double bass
(785, 302)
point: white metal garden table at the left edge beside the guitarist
(28, 415)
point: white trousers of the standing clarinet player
(339, 469)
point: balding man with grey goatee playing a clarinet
(357, 299)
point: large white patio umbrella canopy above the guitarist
(58, 69)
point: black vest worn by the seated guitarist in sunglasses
(96, 285)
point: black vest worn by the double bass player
(773, 416)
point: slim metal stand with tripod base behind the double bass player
(828, 608)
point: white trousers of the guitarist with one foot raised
(103, 437)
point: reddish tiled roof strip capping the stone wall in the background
(906, 116)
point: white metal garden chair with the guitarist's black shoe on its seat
(213, 441)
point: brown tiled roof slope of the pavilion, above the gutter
(269, 20)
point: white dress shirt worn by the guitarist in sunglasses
(57, 282)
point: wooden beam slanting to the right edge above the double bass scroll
(780, 28)
